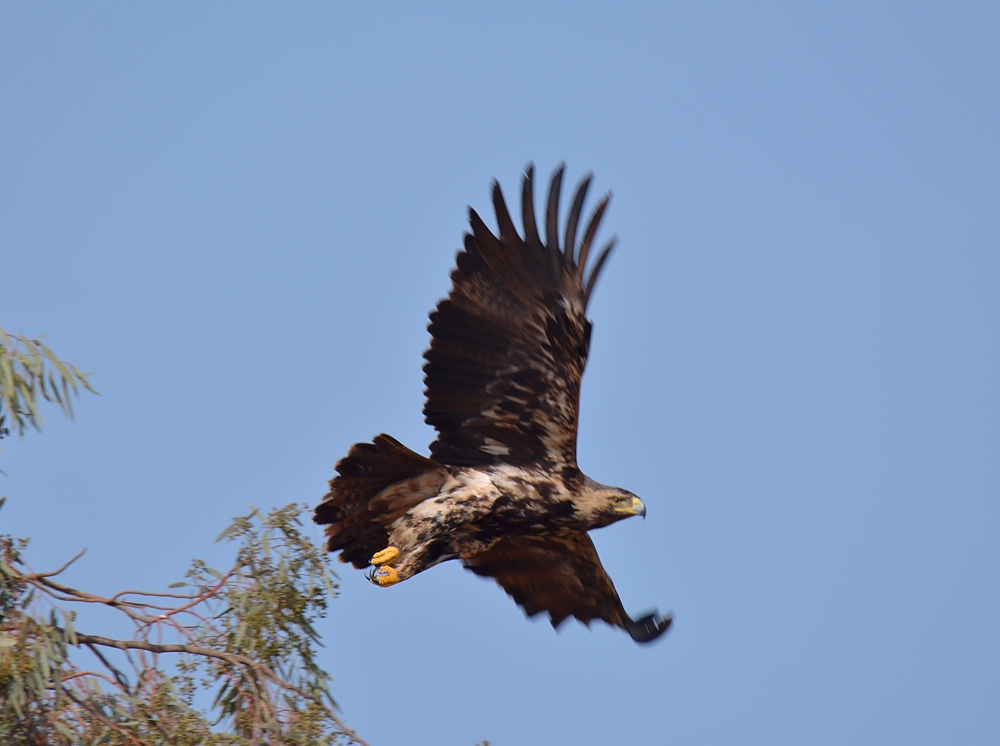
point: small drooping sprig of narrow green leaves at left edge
(29, 372)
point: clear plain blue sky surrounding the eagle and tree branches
(239, 214)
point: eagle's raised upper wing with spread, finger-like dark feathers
(509, 343)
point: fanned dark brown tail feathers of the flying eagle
(359, 524)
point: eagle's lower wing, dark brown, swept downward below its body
(562, 575)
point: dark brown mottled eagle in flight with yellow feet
(501, 490)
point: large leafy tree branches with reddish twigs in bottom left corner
(245, 635)
